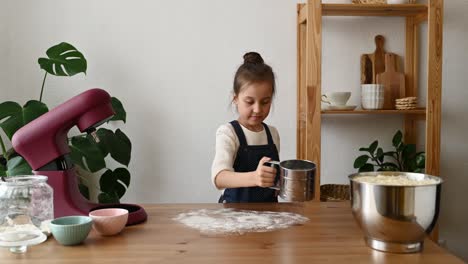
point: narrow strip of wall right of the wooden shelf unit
(454, 163)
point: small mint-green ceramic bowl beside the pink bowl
(71, 230)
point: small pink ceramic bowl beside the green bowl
(109, 221)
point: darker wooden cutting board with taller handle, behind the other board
(374, 63)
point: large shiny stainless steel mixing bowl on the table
(395, 218)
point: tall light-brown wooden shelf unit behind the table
(309, 64)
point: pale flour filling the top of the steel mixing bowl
(402, 180)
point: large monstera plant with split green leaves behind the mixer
(88, 156)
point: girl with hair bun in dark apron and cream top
(245, 144)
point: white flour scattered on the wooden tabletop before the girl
(232, 221)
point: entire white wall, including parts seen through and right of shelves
(172, 64)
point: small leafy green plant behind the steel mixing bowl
(403, 158)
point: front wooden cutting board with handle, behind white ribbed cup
(393, 81)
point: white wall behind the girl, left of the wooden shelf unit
(172, 64)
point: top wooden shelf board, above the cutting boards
(404, 10)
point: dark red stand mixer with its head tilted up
(43, 143)
